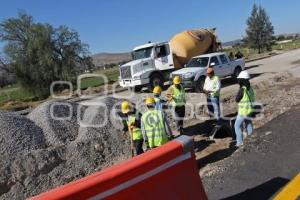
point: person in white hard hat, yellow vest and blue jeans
(246, 101)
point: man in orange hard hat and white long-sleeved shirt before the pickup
(211, 88)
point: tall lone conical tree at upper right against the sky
(259, 30)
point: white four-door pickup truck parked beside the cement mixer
(194, 73)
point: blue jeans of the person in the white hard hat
(238, 128)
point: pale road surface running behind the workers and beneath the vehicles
(260, 70)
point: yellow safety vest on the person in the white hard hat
(246, 105)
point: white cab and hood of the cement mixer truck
(150, 66)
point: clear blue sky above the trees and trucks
(120, 25)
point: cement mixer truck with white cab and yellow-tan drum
(152, 63)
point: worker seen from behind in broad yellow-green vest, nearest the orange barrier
(154, 125)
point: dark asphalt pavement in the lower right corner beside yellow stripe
(270, 159)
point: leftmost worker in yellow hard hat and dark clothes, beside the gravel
(133, 126)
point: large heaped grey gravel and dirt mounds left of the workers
(42, 152)
